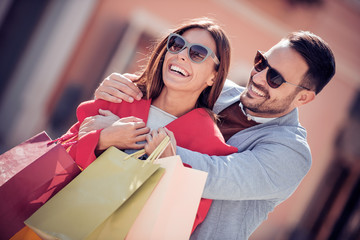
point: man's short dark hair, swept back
(318, 56)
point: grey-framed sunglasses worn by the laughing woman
(197, 52)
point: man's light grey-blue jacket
(272, 160)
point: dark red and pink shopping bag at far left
(30, 174)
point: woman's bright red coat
(195, 131)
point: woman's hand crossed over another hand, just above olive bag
(124, 134)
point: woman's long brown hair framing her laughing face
(151, 82)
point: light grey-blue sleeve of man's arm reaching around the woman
(270, 170)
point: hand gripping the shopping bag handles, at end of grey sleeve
(154, 139)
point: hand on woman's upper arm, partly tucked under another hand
(105, 119)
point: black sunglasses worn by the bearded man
(273, 77)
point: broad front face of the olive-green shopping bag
(78, 209)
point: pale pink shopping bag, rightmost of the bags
(170, 211)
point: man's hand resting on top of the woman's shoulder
(118, 87)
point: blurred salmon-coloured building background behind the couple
(54, 53)
